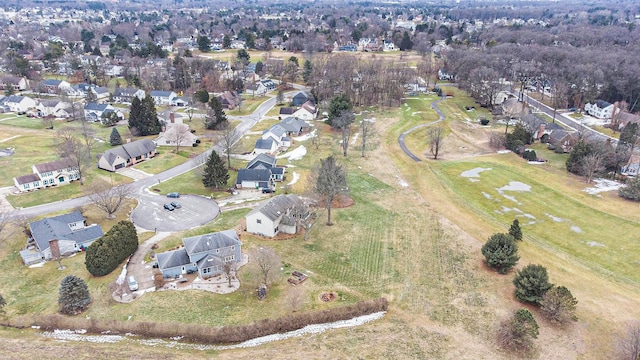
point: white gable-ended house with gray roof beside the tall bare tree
(274, 216)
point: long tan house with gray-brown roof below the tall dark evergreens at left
(127, 155)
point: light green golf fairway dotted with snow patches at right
(549, 217)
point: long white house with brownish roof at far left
(59, 172)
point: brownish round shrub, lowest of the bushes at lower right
(517, 332)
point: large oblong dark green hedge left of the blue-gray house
(105, 254)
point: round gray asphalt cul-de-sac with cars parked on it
(195, 211)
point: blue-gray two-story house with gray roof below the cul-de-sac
(205, 254)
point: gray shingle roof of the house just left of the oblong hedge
(57, 227)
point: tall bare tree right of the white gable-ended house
(329, 180)
